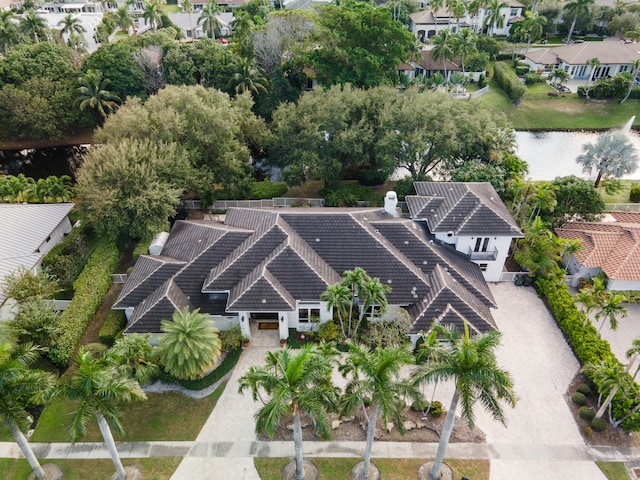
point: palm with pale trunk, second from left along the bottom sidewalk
(100, 389)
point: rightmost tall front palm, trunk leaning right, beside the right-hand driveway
(471, 363)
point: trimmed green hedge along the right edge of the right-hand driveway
(587, 344)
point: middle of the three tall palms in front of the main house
(375, 375)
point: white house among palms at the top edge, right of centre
(426, 23)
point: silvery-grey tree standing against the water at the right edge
(613, 155)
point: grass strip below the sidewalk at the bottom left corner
(151, 468)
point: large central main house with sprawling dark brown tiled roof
(272, 265)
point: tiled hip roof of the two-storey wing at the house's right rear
(464, 208)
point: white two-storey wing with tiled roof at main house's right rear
(469, 216)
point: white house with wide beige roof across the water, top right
(615, 57)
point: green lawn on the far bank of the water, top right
(559, 113)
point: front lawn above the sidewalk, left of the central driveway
(164, 416)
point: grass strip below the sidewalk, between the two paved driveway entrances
(390, 468)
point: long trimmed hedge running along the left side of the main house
(90, 288)
